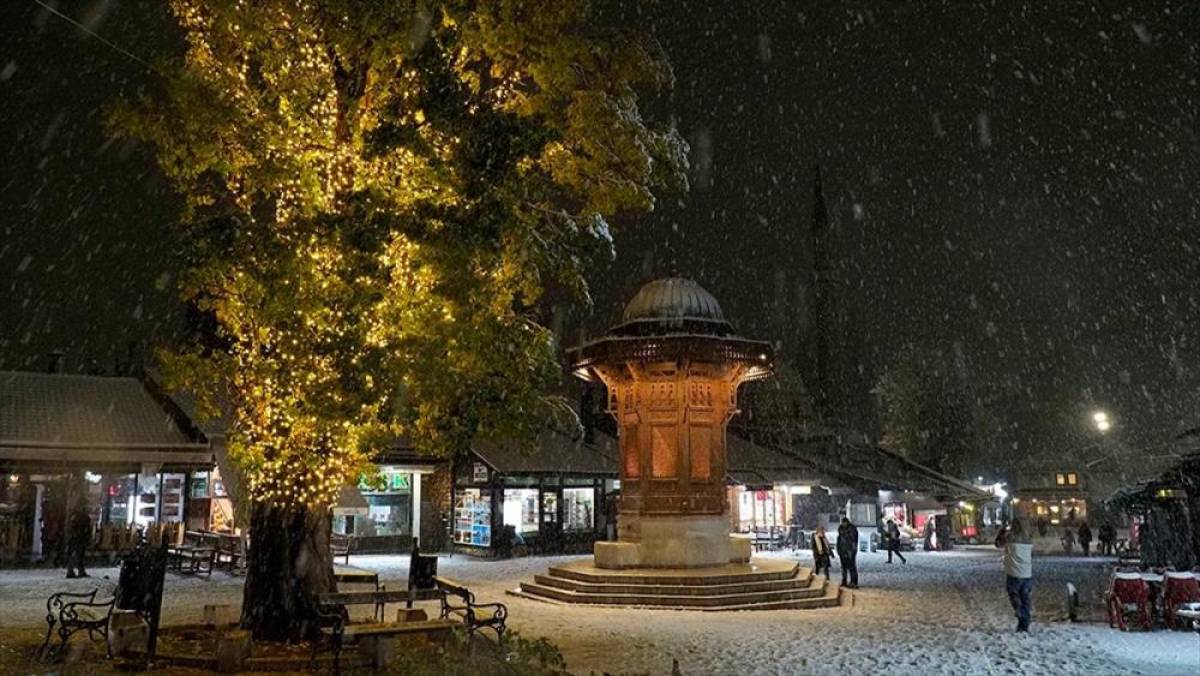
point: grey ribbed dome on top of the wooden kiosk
(676, 303)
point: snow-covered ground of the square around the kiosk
(943, 613)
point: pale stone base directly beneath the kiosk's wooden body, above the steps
(674, 542)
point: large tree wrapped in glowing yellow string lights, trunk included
(377, 195)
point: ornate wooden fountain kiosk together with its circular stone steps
(673, 368)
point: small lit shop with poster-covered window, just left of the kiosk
(551, 499)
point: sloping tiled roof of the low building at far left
(67, 411)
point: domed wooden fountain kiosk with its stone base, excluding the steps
(673, 368)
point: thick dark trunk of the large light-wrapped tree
(289, 565)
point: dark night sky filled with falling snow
(1015, 183)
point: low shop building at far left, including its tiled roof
(117, 444)
